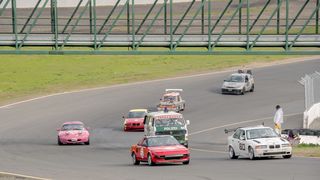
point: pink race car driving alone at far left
(73, 133)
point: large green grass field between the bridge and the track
(25, 76)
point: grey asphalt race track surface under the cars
(28, 140)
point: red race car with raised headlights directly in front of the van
(158, 150)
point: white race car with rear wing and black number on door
(258, 141)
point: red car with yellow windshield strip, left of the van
(134, 120)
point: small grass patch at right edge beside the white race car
(307, 150)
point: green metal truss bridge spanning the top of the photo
(161, 27)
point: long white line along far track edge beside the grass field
(282, 62)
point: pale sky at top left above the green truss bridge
(72, 3)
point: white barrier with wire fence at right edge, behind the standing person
(312, 100)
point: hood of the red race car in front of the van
(165, 150)
